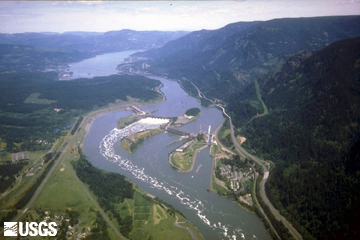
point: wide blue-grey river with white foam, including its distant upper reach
(216, 217)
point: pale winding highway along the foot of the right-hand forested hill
(242, 152)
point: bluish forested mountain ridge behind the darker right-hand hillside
(223, 60)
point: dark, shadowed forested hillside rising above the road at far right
(312, 134)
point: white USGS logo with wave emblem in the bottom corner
(30, 229)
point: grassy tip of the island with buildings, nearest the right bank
(184, 160)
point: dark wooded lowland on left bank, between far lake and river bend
(35, 107)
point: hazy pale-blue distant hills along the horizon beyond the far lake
(95, 43)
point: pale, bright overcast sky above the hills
(102, 16)
